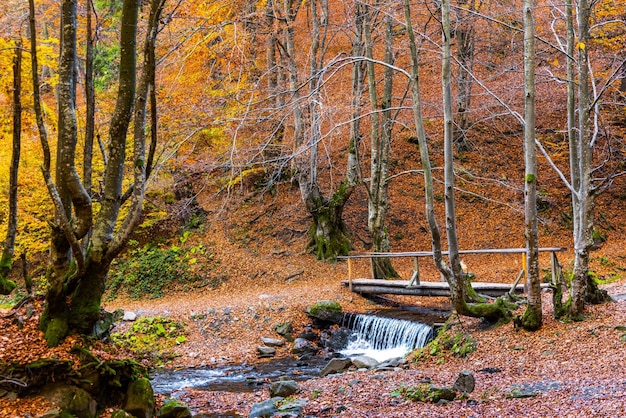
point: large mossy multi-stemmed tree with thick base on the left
(77, 274)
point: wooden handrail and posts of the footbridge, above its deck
(415, 278)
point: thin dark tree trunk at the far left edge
(8, 248)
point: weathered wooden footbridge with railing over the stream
(415, 287)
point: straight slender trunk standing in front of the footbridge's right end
(532, 318)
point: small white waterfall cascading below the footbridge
(384, 338)
